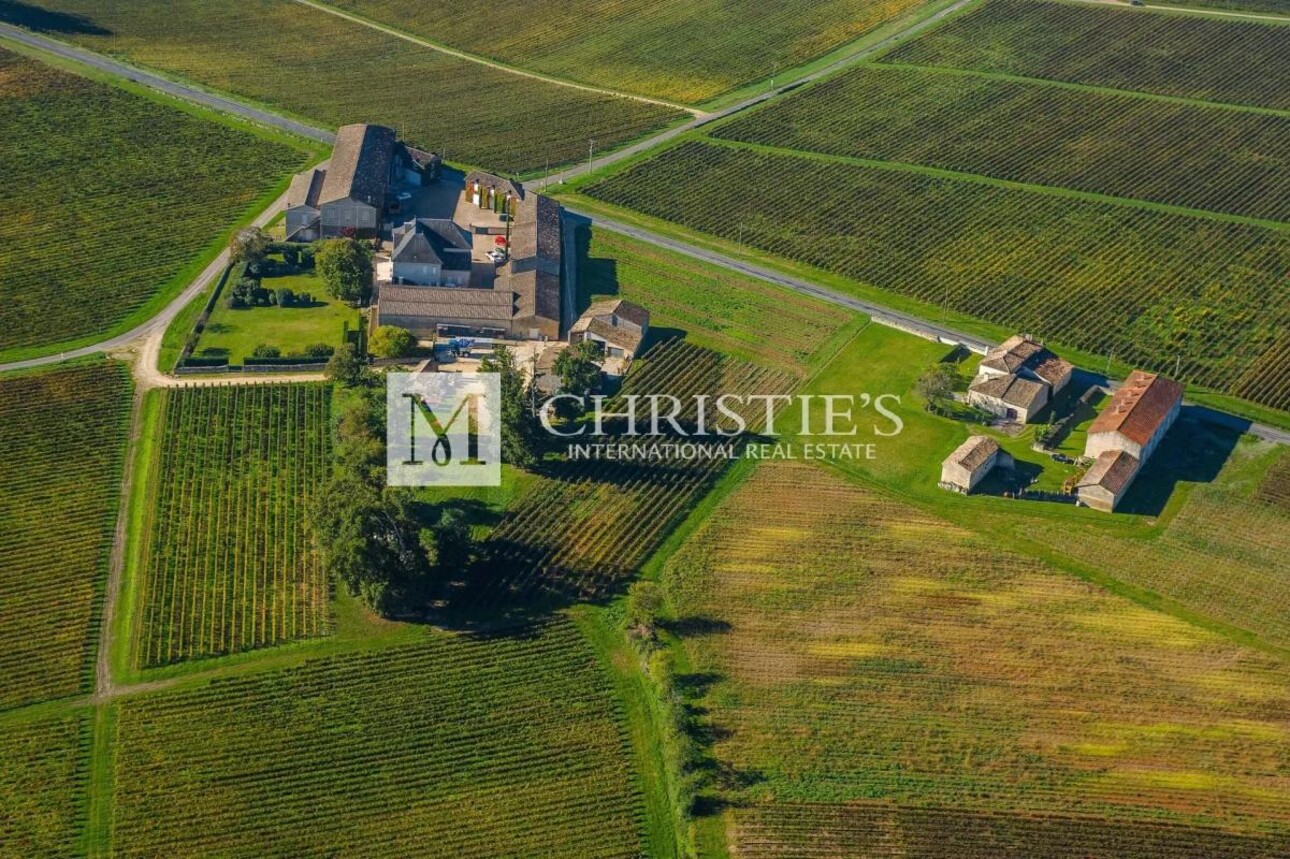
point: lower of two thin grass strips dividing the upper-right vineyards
(1013, 185)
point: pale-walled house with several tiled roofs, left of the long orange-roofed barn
(1018, 379)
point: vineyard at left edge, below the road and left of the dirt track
(63, 447)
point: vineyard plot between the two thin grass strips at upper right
(1124, 146)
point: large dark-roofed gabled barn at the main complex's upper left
(352, 194)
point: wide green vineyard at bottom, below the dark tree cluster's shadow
(459, 747)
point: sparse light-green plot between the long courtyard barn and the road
(718, 309)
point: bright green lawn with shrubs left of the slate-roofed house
(238, 332)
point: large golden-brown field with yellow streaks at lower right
(871, 662)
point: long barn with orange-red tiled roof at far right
(1124, 437)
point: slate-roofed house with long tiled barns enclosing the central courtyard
(522, 296)
